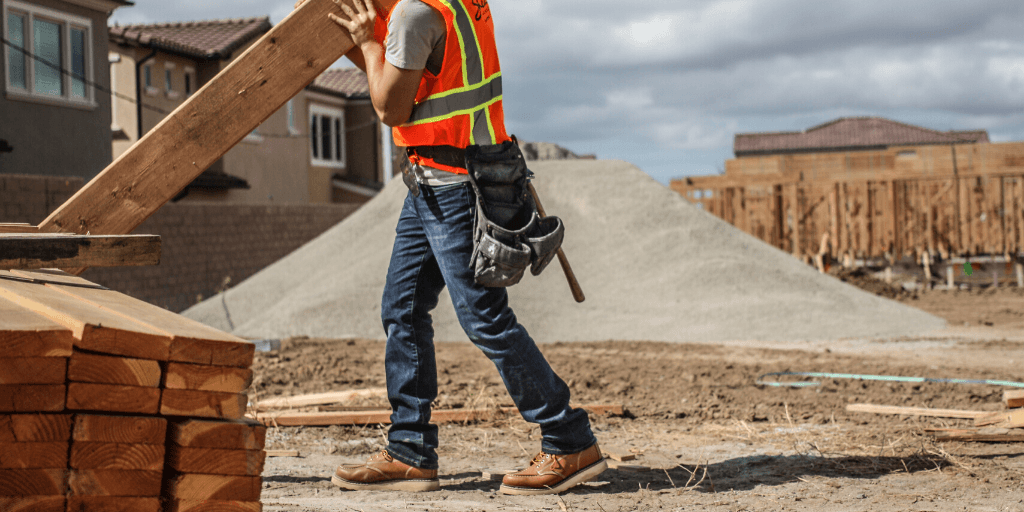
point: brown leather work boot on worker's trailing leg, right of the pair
(550, 475)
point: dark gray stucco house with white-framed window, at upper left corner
(56, 109)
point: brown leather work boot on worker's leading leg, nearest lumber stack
(382, 473)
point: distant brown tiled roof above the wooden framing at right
(850, 134)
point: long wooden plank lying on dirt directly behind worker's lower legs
(385, 417)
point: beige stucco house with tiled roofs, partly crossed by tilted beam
(325, 146)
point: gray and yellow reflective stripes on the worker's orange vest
(477, 97)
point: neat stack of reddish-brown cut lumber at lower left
(109, 404)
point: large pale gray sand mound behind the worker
(654, 268)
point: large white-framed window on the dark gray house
(50, 55)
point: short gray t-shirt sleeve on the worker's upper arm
(413, 33)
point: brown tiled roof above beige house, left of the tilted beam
(208, 40)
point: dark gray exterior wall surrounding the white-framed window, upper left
(54, 138)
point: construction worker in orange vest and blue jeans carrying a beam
(435, 77)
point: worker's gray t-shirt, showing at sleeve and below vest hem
(416, 37)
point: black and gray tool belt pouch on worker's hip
(509, 236)
